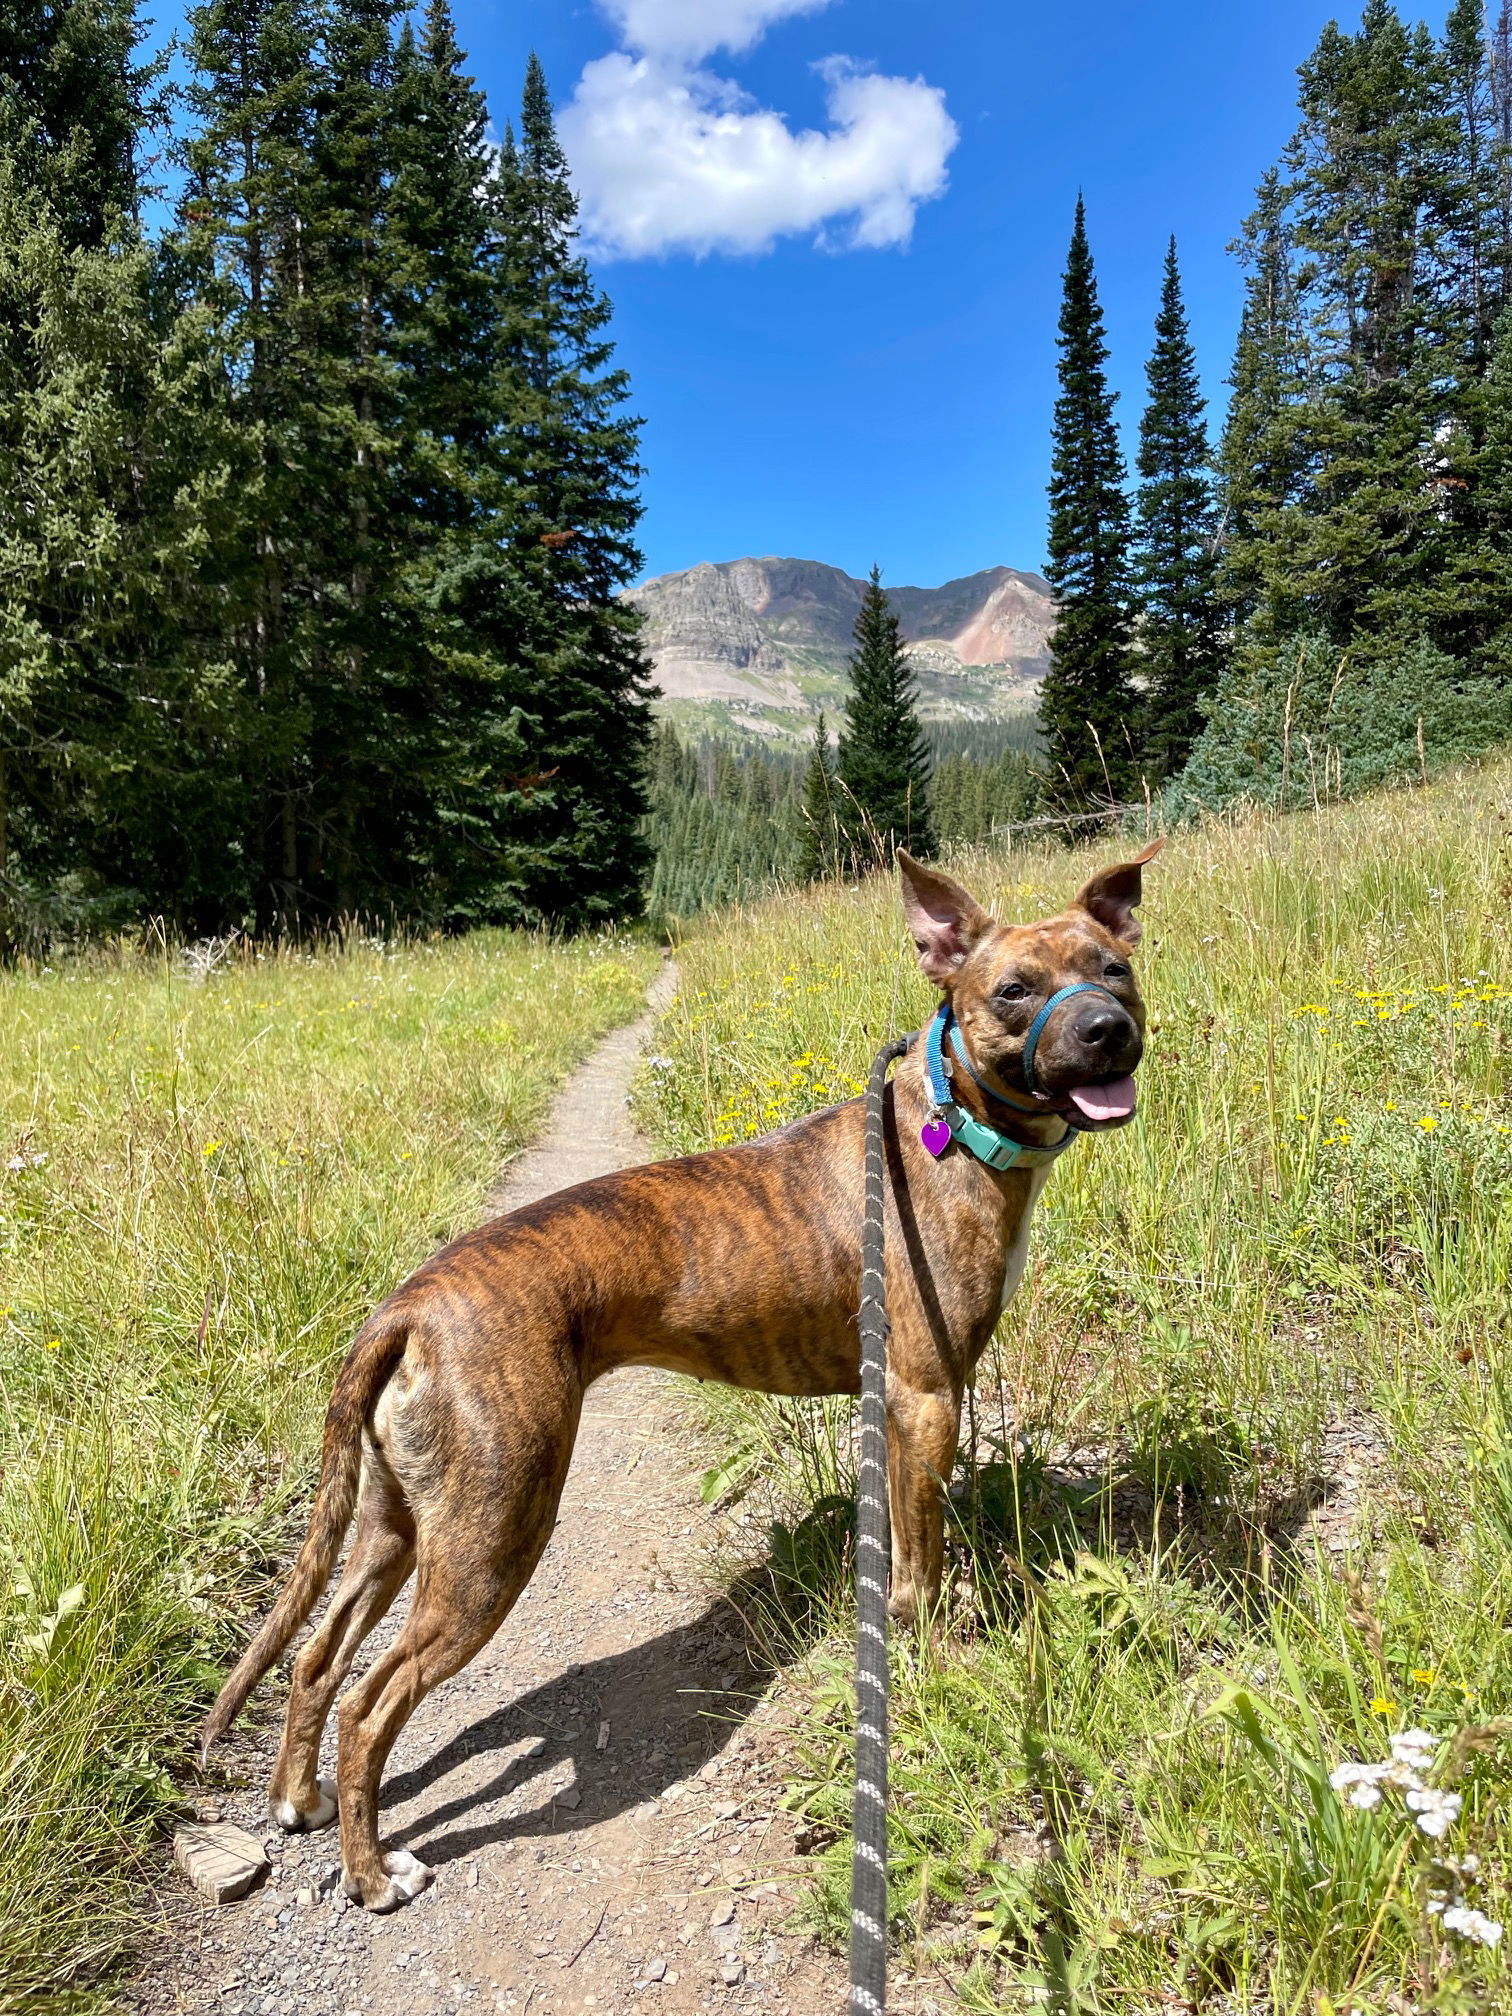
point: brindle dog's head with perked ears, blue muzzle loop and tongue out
(999, 977)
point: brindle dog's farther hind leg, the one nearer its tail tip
(378, 1567)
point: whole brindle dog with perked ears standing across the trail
(453, 1420)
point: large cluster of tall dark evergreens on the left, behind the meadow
(316, 501)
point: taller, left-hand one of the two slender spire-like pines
(1088, 703)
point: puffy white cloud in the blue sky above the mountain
(674, 158)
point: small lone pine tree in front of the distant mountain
(884, 763)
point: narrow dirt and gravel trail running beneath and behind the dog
(596, 1793)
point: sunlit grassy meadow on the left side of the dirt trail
(207, 1182)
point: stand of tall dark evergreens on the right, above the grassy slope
(1324, 600)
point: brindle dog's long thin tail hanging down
(372, 1358)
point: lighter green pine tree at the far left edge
(122, 727)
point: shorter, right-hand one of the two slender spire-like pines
(1176, 555)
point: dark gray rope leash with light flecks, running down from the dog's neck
(870, 1825)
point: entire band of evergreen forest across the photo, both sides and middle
(320, 489)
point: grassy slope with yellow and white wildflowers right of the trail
(1237, 1501)
